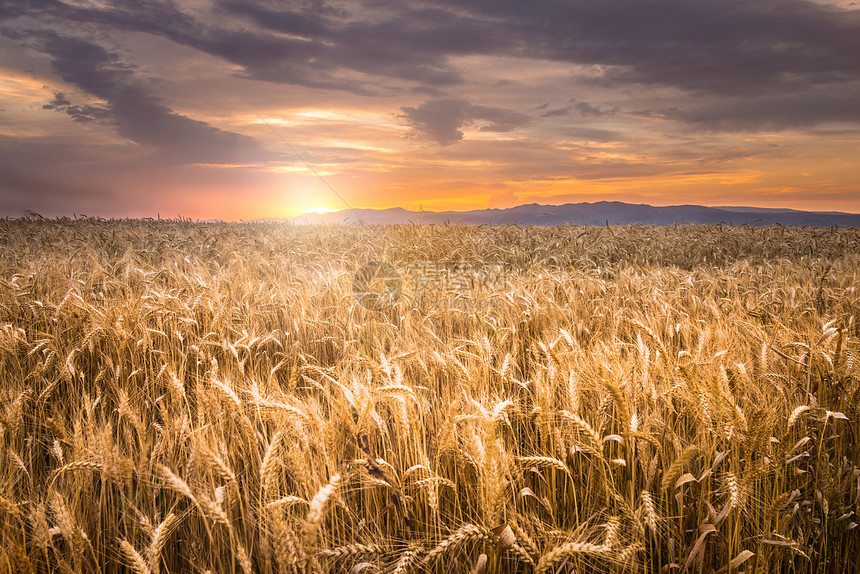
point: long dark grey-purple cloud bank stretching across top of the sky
(729, 47)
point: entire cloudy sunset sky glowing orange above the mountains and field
(239, 109)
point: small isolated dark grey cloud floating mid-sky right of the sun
(441, 120)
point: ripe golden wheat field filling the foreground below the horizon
(189, 397)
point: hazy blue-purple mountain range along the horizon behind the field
(598, 213)
